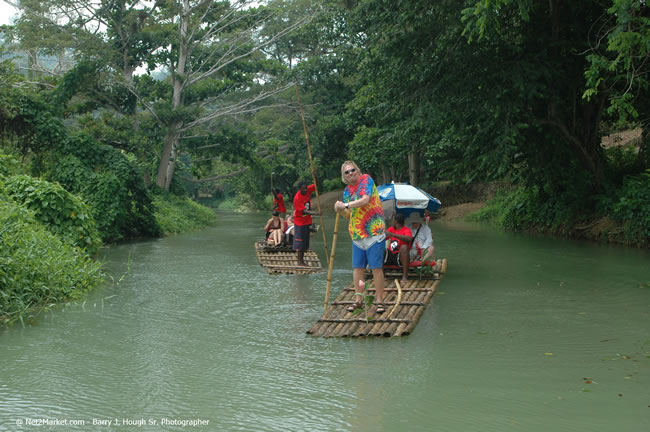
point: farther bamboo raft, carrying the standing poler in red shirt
(283, 260)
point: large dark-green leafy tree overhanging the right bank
(485, 89)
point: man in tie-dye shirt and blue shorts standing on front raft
(367, 228)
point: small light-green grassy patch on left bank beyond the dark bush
(175, 214)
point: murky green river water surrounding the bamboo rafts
(525, 334)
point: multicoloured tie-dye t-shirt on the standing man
(367, 221)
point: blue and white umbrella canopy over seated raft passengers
(405, 198)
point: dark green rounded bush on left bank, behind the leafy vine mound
(111, 184)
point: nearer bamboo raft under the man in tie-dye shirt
(399, 319)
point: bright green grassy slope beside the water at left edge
(37, 269)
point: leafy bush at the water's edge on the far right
(633, 208)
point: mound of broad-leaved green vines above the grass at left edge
(57, 209)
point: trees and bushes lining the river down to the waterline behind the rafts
(113, 114)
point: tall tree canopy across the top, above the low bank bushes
(467, 91)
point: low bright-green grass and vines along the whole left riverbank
(49, 237)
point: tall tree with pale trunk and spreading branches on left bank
(209, 50)
